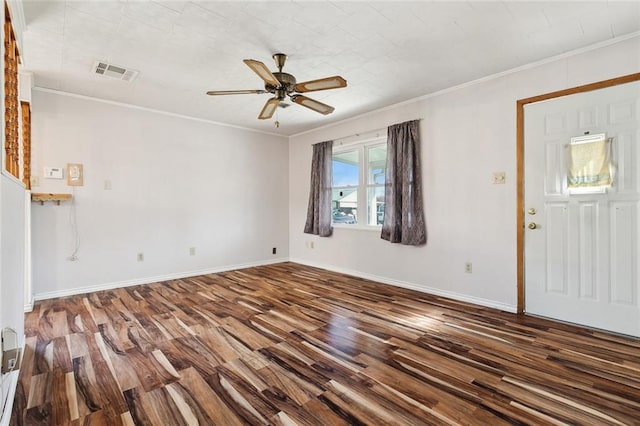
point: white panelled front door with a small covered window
(581, 260)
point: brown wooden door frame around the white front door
(520, 164)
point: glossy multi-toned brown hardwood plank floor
(290, 344)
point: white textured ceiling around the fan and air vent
(388, 52)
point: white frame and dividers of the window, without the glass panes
(363, 187)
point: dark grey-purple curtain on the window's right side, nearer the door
(404, 212)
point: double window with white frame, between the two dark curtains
(358, 183)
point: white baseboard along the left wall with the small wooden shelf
(150, 280)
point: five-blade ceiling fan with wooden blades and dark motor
(282, 84)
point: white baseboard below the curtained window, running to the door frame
(412, 286)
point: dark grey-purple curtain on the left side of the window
(319, 210)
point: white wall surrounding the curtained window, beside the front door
(467, 134)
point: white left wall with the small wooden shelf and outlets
(176, 183)
